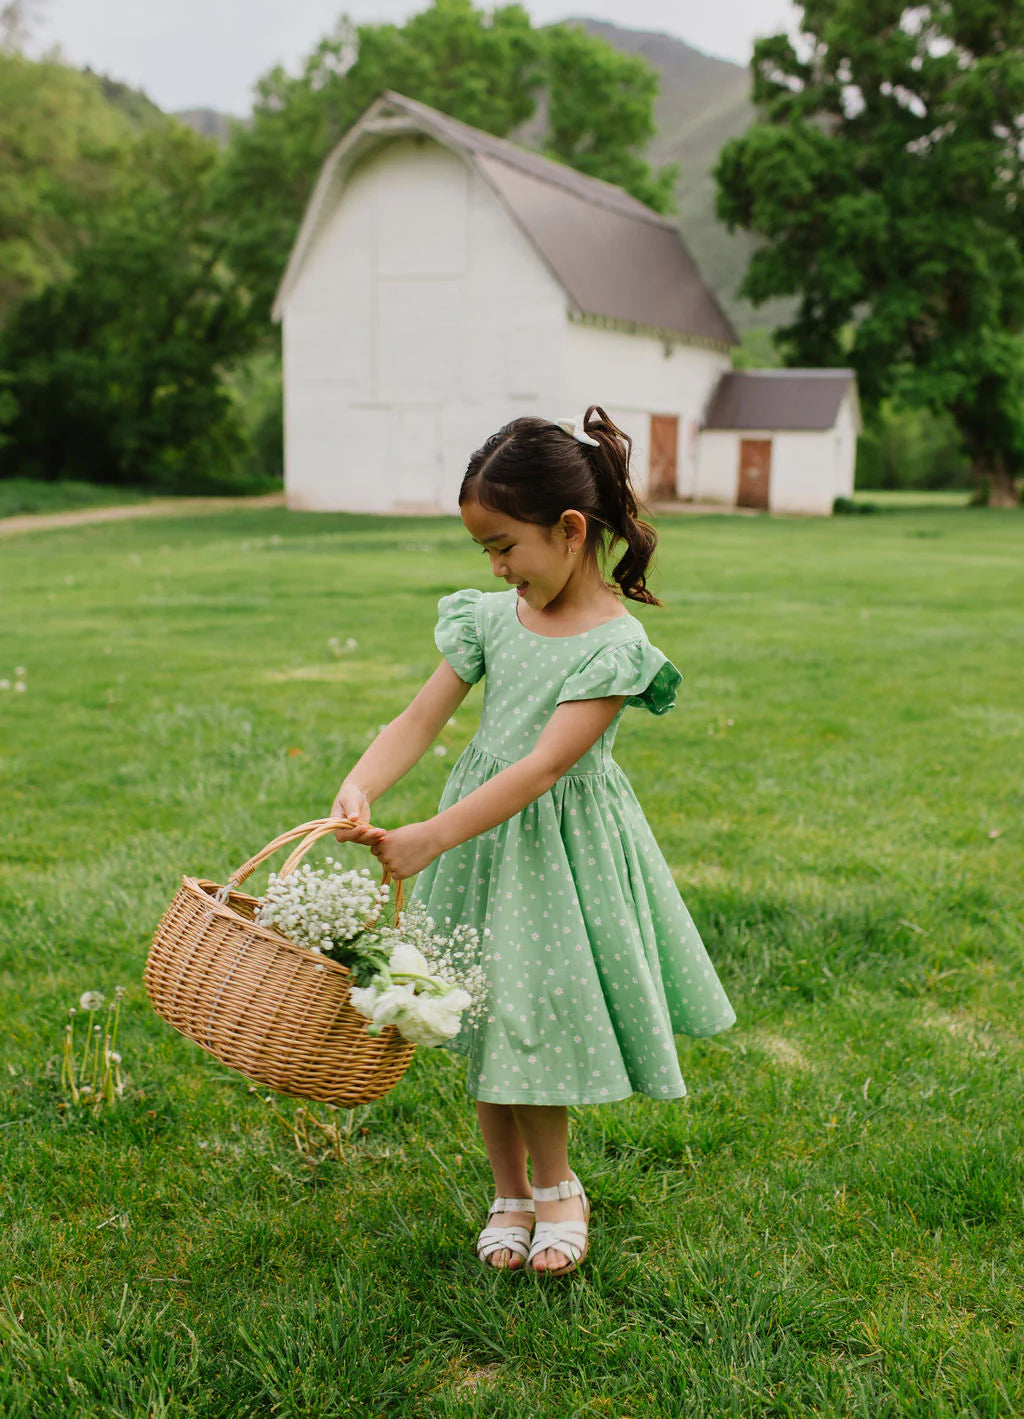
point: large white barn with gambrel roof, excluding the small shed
(445, 282)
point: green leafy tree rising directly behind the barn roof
(483, 69)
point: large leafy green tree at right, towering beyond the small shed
(886, 180)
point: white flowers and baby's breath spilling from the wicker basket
(413, 977)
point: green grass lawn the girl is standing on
(830, 1224)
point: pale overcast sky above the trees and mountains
(209, 53)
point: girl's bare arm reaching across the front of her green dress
(574, 729)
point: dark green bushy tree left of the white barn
(117, 372)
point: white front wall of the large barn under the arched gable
(421, 323)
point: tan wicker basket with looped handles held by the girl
(276, 1012)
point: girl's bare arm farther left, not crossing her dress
(399, 746)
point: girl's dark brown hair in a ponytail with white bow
(534, 472)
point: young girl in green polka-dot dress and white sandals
(592, 959)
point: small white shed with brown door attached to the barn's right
(784, 441)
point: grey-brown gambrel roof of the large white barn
(615, 258)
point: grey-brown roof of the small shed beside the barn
(779, 399)
